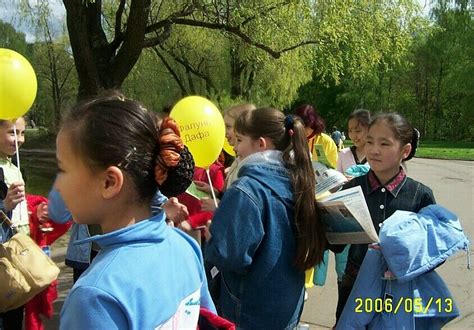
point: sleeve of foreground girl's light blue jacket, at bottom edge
(91, 308)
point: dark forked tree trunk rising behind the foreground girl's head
(101, 65)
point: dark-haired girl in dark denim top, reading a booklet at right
(391, 140)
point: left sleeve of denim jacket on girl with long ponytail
(236, 232)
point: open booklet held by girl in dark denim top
(347, 218)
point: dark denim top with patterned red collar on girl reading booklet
(400, 193)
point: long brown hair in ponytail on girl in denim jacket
(288, 135)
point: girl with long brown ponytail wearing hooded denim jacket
(266, 232)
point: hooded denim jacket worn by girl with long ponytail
(253, 245)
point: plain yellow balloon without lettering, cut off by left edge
(17, 84)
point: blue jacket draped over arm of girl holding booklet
(411, 247)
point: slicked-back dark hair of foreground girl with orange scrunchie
(112, 130)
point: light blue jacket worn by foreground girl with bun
(145, 276)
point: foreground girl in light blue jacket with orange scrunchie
(112, 156)
